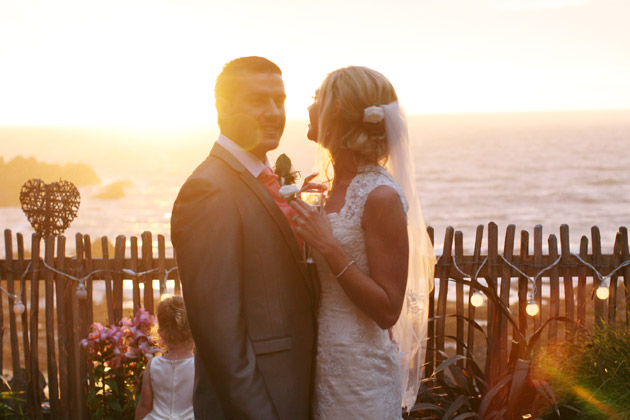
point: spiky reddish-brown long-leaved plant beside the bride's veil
(460, 389)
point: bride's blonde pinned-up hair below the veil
(342, 99)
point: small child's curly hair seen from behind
(173, 322)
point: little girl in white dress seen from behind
(167, 388)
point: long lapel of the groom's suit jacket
(269, 204)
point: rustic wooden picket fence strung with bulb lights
(65, 319)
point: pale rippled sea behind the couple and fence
(547, 168)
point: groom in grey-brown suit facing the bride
(249, 299)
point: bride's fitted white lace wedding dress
(356, 374)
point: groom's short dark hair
(228, 80)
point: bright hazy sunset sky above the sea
(153, 63)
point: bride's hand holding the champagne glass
(312, 226)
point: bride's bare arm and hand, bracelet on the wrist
(380, 295)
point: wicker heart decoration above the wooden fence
(49, 207)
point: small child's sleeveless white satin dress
(172, 382)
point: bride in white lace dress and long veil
(373, 255)
